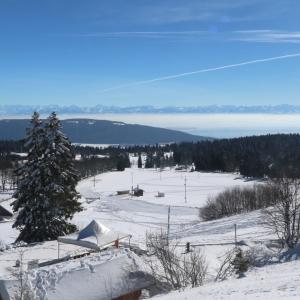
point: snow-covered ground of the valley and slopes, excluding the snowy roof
(138, 215)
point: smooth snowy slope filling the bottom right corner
(277, 281)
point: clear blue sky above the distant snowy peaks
(71, 52)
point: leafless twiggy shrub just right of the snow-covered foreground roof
(169, 265)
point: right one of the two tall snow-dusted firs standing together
(62, 178)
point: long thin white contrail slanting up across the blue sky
(250, 62)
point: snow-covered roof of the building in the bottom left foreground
(106, 275)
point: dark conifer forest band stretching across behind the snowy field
(257, 156)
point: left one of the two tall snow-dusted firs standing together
(29, 196)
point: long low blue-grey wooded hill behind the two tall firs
(88, 131)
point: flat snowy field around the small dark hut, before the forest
(137, 215)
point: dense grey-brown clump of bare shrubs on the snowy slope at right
(237, 200)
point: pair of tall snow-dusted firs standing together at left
(46, 197)
